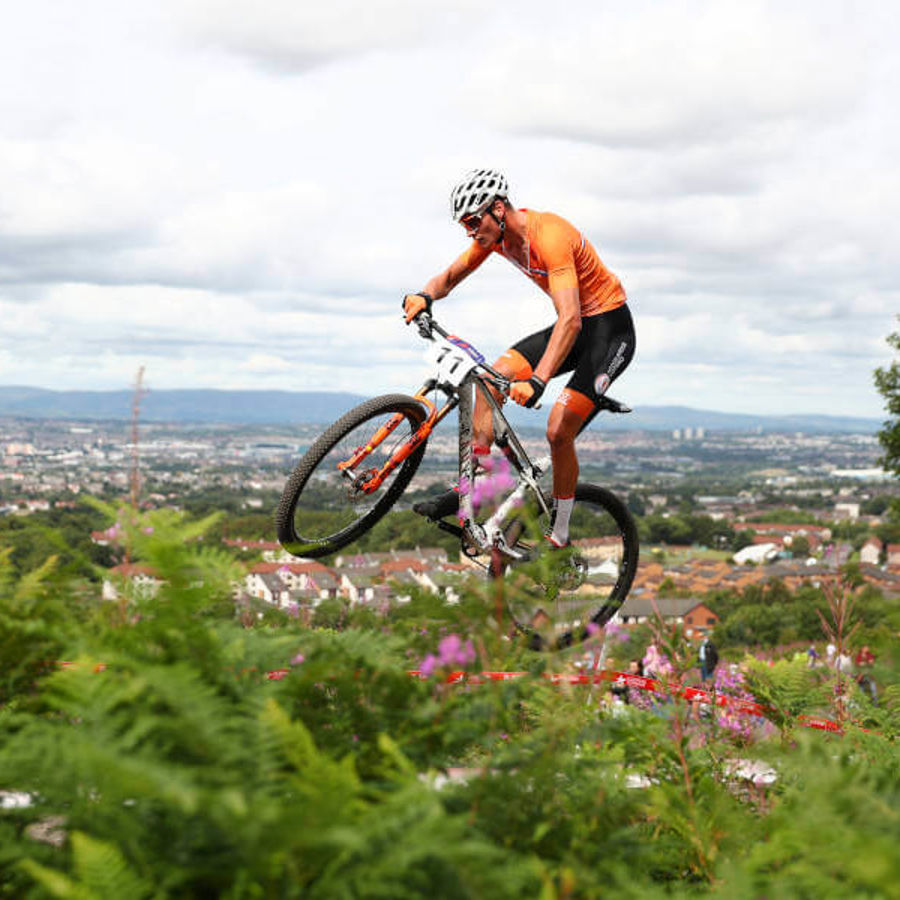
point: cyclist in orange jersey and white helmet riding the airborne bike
(593, 336)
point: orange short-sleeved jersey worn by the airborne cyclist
(559, 256)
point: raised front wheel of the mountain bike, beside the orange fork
(327, 502)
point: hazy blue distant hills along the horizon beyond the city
(303, 407)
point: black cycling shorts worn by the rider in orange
(600, 354)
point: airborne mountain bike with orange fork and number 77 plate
(358, 469)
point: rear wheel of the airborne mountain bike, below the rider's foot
(560, 597)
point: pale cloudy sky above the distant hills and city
(237, 195)
